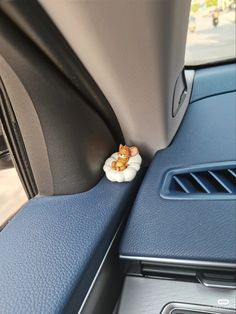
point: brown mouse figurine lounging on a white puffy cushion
(123, 165)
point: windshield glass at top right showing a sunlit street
(211, 31)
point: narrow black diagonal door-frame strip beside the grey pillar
(31, 18)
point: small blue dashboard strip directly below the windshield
(214, 81)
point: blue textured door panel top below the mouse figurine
(57, 243)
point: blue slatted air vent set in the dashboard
(214, 181)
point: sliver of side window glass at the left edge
(12, 194)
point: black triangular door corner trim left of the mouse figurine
(54, 119)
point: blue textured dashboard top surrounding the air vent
(194, 230)
